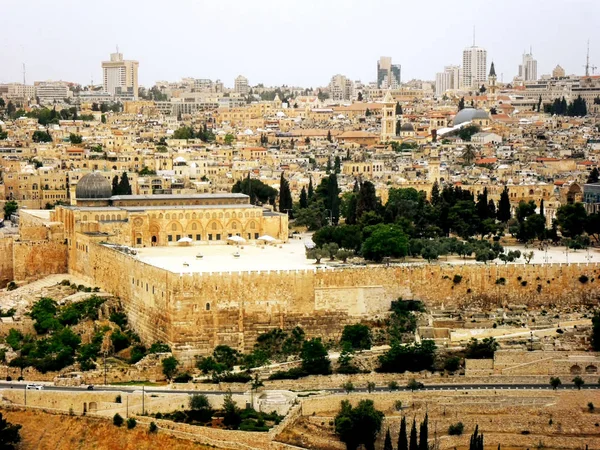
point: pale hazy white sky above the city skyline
(294, 42)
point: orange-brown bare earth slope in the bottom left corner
(43, 431)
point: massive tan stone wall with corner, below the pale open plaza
(196, 312)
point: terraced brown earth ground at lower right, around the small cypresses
(516, 421)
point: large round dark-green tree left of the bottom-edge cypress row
(358, 426)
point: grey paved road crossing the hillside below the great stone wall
(433, 387)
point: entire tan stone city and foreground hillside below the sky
(382, 264)
